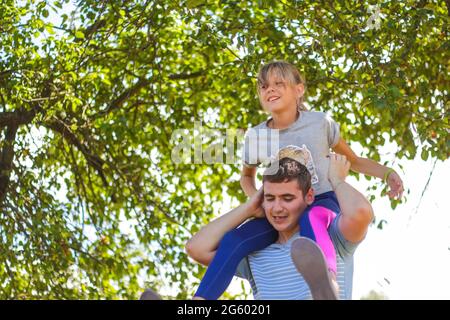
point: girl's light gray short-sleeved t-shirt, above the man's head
(315, 130)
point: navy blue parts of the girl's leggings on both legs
(251, 236)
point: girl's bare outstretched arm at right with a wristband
(371, 168)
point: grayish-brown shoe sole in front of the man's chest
(310, 261)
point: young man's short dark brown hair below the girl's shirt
(287, 169)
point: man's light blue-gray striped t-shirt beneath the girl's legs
(273, 276)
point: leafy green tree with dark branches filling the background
(91, 93)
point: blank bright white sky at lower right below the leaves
(410, 257)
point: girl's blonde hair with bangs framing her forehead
(285, 71)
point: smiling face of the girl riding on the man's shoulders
(278, 94)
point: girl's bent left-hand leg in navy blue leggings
(254, 235)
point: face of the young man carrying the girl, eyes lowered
(284, 203)
